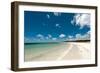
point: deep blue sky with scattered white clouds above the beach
(55, 26)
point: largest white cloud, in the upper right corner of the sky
(81, 20)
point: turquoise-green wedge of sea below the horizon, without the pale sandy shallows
(36, 48)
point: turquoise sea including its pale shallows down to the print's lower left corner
(34, 50)
